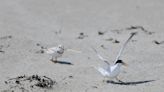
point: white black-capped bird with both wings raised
(112, 71)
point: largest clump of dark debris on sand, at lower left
(29, 82)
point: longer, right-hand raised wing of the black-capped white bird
(124, 45)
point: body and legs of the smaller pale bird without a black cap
(55, 52)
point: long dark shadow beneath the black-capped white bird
(129, 83)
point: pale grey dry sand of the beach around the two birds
(25, 24)
